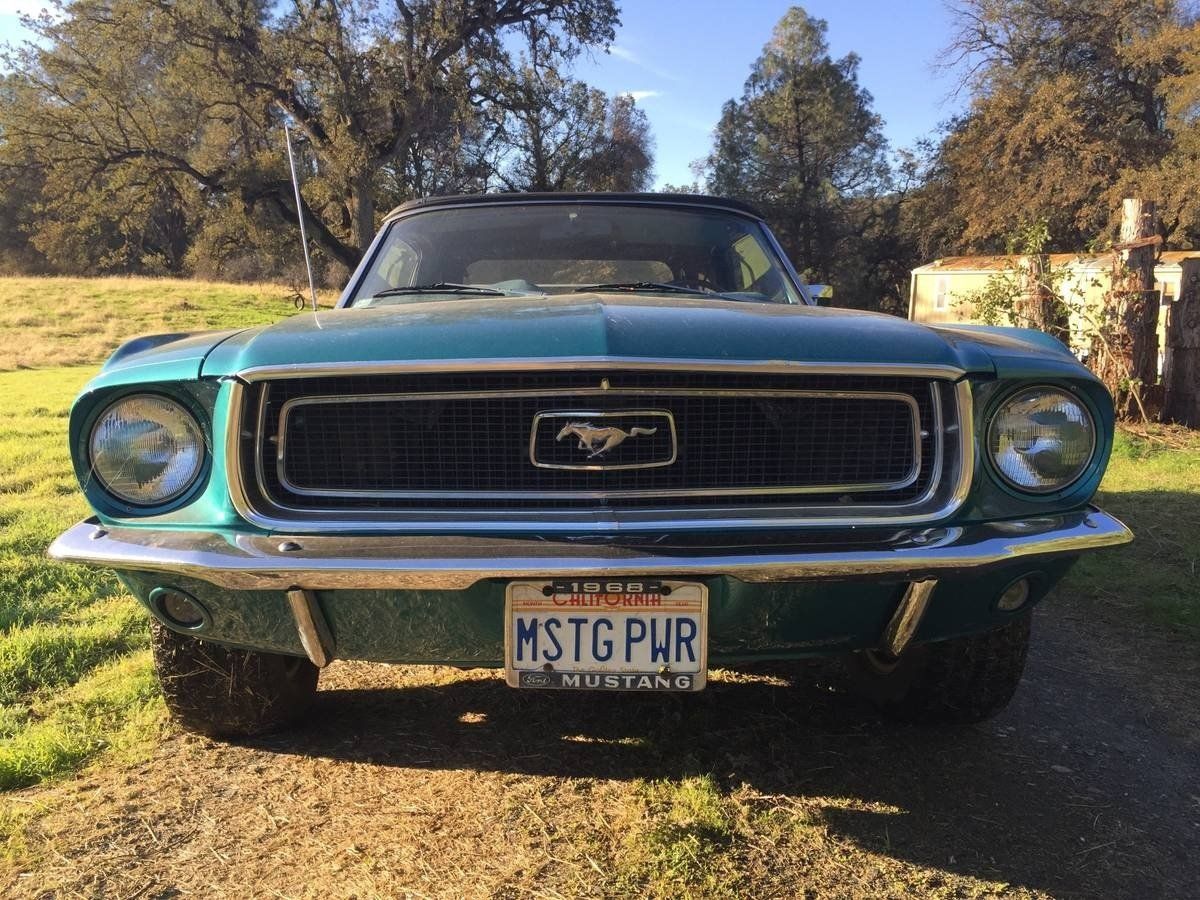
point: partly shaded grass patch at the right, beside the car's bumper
(1154, 485)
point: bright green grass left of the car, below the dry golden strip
(75, 674)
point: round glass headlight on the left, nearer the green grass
(147, 449)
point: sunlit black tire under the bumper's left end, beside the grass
(223, 692)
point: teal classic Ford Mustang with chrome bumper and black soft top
(599, 442)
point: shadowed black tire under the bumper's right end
(958, 682)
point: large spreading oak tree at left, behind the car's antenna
(145, 109)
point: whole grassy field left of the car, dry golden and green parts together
(75, 670)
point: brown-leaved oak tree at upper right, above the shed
(1070, 110)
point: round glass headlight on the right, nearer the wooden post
(1042, 440)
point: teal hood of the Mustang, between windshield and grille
(615, 327)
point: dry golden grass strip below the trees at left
(64, 322)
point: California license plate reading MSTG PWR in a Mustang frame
(625, 634)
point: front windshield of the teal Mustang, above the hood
(524, 249)
